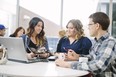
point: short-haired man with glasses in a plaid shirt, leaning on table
(102, 57)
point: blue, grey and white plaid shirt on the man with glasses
(102, 57)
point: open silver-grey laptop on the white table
(17, 51)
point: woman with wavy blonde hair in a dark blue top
(74, 42)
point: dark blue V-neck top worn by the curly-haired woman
(80, 46)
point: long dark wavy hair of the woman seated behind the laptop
(40, 38)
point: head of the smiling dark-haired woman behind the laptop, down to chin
(36, 27)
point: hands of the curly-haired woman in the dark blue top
(71, 55)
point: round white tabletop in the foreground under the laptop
(39, 69)
